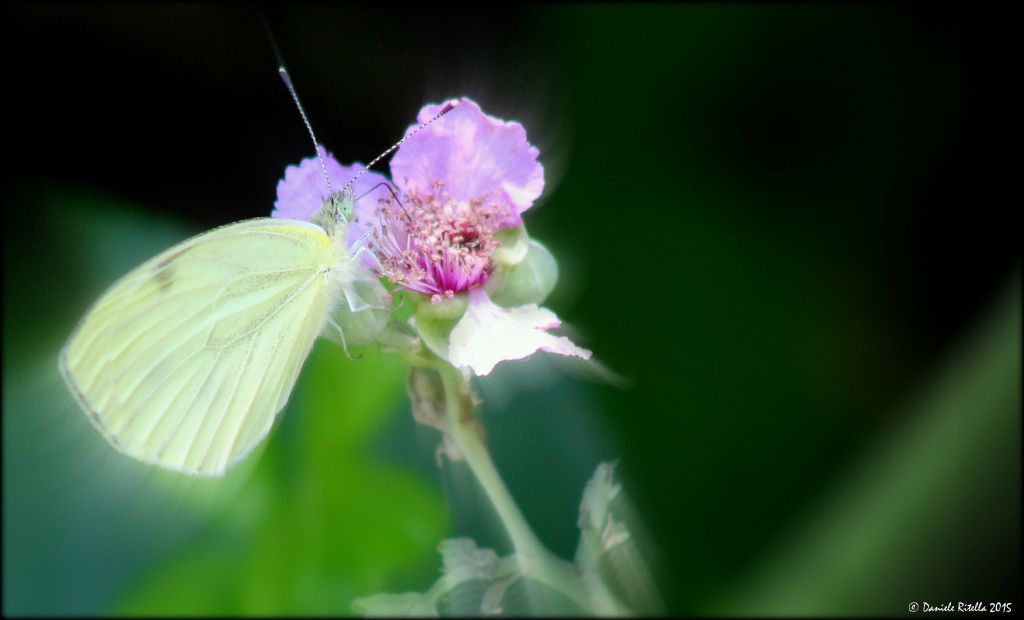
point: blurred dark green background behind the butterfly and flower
(788, 226)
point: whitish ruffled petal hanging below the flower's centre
(488, 335)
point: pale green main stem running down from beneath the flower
(536, 561)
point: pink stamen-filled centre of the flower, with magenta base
(436, 245)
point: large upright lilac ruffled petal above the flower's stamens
(476, 156)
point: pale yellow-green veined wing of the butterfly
(187, 361)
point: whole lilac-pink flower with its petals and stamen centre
(463, 184)
